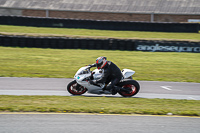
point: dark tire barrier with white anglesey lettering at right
(99, 44)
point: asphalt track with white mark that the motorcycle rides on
(56, 86)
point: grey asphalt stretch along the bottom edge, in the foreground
(81, 123)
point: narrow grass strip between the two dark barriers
(72, 32)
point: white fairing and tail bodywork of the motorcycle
(83, 74)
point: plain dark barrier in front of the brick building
(103, 25)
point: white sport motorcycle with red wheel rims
(80, 84)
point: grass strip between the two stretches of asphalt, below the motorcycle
(102, 105)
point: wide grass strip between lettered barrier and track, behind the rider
(63, 63)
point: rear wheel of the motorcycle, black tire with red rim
(131, 85)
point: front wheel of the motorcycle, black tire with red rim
(75, 89)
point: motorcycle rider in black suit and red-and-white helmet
(111, 73)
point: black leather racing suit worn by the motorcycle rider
(112, 74)
